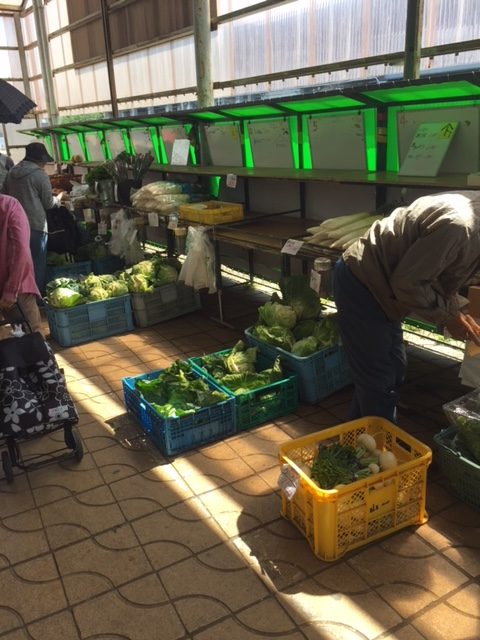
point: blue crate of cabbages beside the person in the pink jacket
(91, 321)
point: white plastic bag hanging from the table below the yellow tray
(198, 270)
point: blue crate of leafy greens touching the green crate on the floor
(175, 435)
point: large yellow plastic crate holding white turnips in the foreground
(339, 520)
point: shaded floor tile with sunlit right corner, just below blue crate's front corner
(145, 493)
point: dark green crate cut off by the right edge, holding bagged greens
(462, 474)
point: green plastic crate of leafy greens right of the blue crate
(259, 405)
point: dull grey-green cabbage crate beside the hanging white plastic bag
(166, 302)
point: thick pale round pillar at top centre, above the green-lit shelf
(203, 57)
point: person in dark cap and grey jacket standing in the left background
(30, 185)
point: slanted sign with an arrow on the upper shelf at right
(428, 149)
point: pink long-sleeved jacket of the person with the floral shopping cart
(17, 277)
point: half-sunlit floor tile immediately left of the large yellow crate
(242, 506)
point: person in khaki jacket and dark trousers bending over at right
(411, 263)
